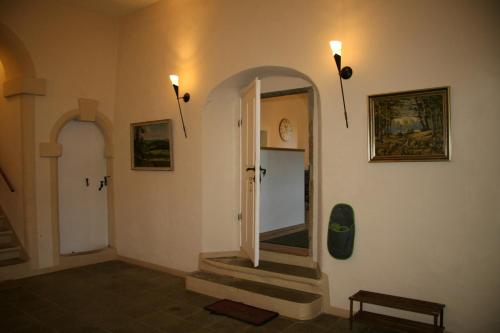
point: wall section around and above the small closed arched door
(76, 52)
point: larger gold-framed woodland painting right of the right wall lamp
(409, 126)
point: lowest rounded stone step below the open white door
(288, 302)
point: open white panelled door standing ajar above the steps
(250, 163)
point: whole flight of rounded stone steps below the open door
(292, 288)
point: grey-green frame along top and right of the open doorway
(311, 131)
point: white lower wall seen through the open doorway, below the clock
(282, 189)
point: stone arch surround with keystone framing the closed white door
(88, 112)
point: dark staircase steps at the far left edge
(11, 252)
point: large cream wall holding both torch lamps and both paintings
(426, 230)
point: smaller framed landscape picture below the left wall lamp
(151, 145)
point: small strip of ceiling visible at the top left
(112, 7)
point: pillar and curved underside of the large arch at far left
(22, 84)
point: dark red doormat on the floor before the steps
(248, 314)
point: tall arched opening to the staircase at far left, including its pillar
(19, 88)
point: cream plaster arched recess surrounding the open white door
(220, 155)
